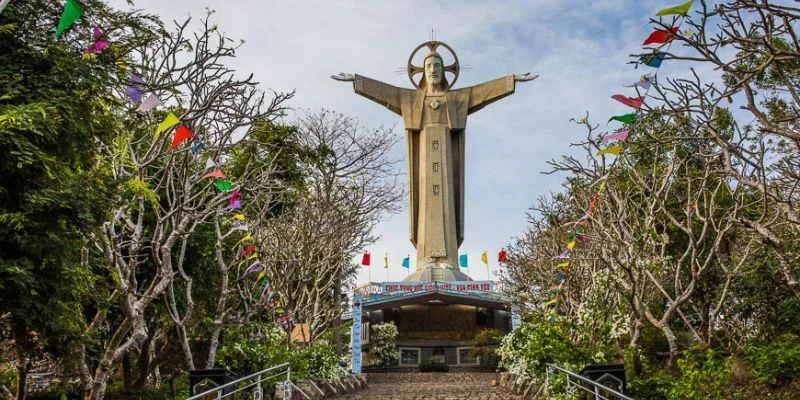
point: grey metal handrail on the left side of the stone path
(249, 387)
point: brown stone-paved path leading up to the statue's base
(433, 386)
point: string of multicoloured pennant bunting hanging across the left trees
(136, 91)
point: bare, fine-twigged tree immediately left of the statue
(345, 194)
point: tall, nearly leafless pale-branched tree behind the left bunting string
(164, 194)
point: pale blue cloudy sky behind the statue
(579, 48)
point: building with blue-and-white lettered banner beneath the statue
(435, 318)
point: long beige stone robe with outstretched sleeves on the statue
(435, 158)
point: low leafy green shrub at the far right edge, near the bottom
(774, 363)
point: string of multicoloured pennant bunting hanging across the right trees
(577, 231)
